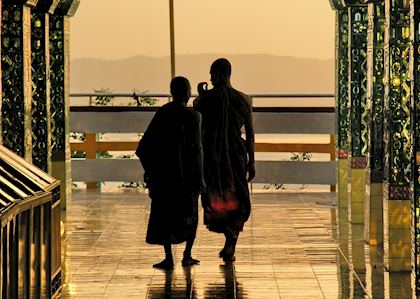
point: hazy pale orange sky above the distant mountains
(114, 29)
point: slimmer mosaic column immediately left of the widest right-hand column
(376, 93)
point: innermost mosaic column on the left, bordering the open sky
(60, 94)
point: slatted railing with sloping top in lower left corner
(30, 259)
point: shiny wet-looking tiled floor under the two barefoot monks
(292, 247)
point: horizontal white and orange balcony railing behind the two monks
(309, 119)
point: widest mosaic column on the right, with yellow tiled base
(398, 155)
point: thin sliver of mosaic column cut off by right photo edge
(415, 101)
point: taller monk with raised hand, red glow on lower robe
(228, 158)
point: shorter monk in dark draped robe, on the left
(172, 157)
